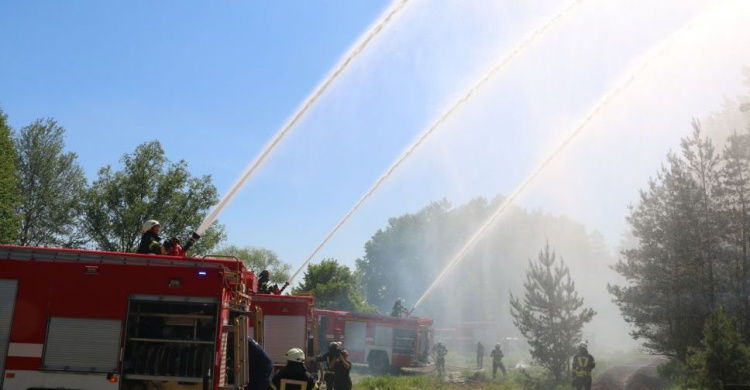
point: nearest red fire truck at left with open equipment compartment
(76, 319)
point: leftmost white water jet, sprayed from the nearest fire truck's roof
(353, 53)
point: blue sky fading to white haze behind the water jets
(214, 81)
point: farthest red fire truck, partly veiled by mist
(382, 342)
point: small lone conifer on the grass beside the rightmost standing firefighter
(550, 316)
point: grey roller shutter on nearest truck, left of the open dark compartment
(82, 344)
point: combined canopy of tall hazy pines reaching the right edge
(691, 257)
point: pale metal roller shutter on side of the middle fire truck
(282, 333)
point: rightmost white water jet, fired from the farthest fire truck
(657, 52)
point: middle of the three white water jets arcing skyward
(501, 64)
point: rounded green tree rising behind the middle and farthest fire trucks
(334, 287)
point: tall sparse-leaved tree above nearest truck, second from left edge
(52, 185)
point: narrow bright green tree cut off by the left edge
(9, 197)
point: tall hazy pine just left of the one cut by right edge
(677, 274)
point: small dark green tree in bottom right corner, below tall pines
(722, 359)
